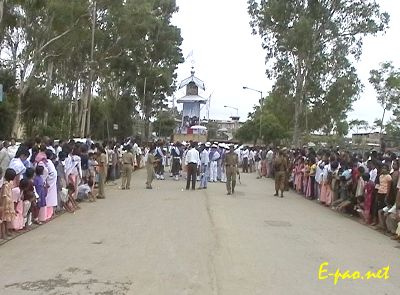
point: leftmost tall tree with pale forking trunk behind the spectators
(38, 26)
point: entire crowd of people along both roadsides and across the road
(40, 177)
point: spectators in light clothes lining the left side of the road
(39, 178)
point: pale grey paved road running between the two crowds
(169, 241)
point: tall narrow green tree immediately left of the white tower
(160, 55)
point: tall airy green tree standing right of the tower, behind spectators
(309, 44)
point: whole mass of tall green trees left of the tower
(46, 45)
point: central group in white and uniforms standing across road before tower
(196, 162)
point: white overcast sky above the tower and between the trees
(227, 56)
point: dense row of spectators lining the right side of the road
(363, 185)
